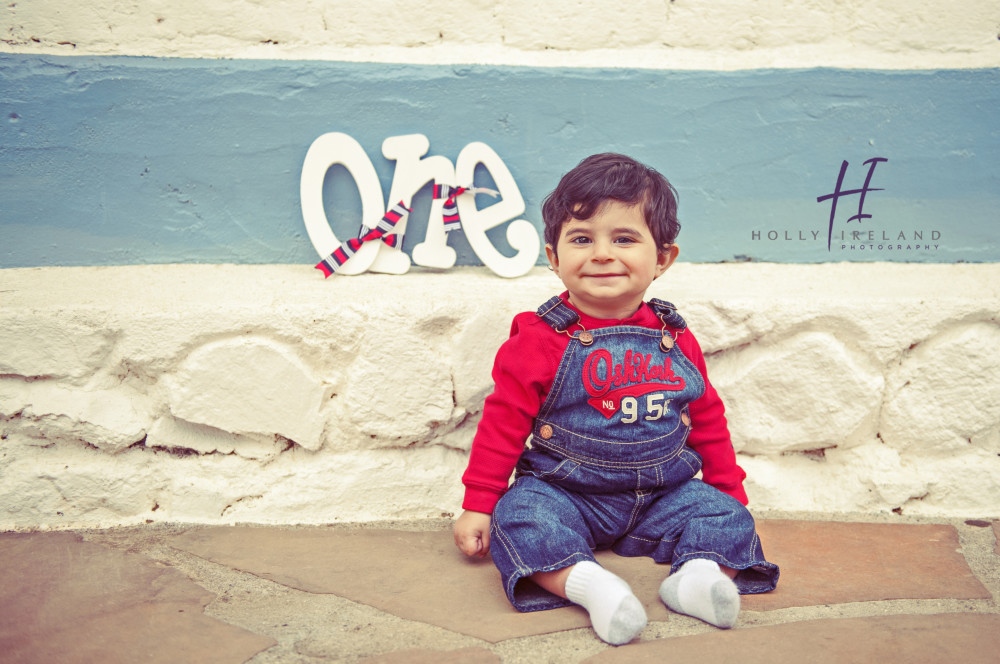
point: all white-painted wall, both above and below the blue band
(266, 394)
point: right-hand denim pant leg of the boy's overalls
(695, 520)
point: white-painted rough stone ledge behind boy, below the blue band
(220, 394)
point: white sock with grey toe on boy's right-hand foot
(700, 589)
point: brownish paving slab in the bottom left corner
(65, 600)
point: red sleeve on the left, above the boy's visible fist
(523, 371)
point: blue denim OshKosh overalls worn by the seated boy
(607, 466)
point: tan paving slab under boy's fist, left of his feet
(414, 575)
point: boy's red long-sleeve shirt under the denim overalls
(523, 372)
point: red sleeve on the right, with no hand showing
(709, 435)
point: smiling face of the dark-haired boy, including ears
(608, 261)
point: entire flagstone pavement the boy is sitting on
(853, 589)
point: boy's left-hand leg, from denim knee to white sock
(540, 534)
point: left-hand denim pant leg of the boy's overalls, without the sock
(536, 527)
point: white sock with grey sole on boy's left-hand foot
(616, 614)
